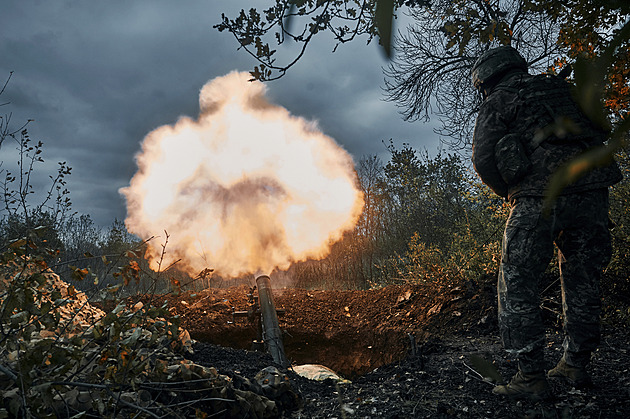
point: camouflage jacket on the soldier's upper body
(526, 105)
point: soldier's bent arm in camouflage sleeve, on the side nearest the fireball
(489, 129)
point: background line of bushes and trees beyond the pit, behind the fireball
(426, 218)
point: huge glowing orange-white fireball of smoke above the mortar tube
(245, 188)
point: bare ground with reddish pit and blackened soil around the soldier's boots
(366, 337)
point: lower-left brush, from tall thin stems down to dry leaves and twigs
(59, 355)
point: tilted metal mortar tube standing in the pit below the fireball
(271, 330)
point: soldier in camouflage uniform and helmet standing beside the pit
(515, 152)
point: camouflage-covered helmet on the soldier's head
(495, 62)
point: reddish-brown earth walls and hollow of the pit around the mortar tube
(351, 332)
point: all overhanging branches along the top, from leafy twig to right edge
(429, 73)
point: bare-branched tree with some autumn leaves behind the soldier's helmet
(431, 71)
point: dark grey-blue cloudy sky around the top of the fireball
(97, 76)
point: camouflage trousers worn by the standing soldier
(578, 225)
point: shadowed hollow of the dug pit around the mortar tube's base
(350, 353)
